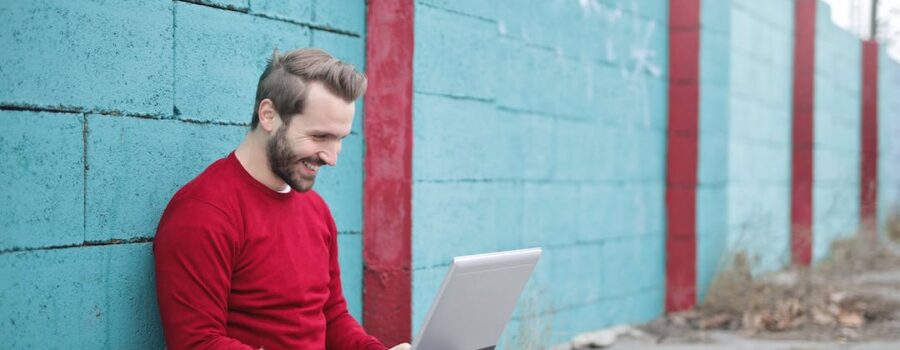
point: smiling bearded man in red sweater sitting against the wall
(246, 254)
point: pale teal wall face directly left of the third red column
(759, 138)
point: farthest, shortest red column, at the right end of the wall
(868, 209)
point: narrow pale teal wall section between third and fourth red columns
(837, 108)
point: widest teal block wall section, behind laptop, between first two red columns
(543, 124)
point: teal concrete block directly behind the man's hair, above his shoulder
(219, 57)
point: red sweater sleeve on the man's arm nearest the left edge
(194, 250)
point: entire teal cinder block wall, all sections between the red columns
(535, 124)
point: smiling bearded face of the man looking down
(311, 139)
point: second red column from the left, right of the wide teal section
(681, 157)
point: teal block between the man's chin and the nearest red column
(342, 186)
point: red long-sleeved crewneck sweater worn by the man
(240, 266)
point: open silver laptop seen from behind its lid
(476, 300)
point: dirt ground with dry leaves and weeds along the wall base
(849, 301)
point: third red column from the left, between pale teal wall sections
(802, 140)
